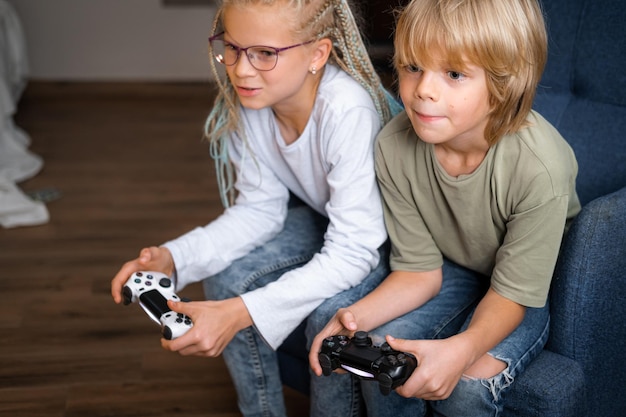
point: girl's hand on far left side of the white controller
(150, 259)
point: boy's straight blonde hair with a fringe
(507, 38)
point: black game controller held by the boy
(357, 355)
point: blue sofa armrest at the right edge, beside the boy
(587, 307)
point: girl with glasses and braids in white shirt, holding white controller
(292, 132)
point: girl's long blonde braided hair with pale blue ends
(318, 19)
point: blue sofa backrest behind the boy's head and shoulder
(583, 89)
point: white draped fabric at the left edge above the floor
(17, 163)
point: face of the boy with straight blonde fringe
(446, 105)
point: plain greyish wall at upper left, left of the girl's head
(115, 40)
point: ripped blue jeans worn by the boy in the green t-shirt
(443, 316)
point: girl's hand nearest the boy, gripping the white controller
(215, 323)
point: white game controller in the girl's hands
(152, 290)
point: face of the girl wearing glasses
(267, 26)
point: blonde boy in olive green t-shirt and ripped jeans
(478, 190)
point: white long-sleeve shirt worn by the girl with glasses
(331, 168)
